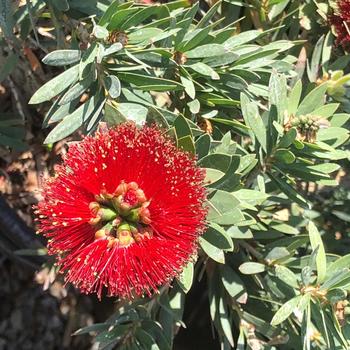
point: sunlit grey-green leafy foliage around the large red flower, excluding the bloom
(264, 137)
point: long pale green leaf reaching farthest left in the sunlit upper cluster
(55, 86)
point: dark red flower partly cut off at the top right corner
(341, 22)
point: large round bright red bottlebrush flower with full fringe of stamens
(124, 211)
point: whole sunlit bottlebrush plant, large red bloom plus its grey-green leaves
(206, 158)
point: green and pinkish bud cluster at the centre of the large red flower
(121, 217)
